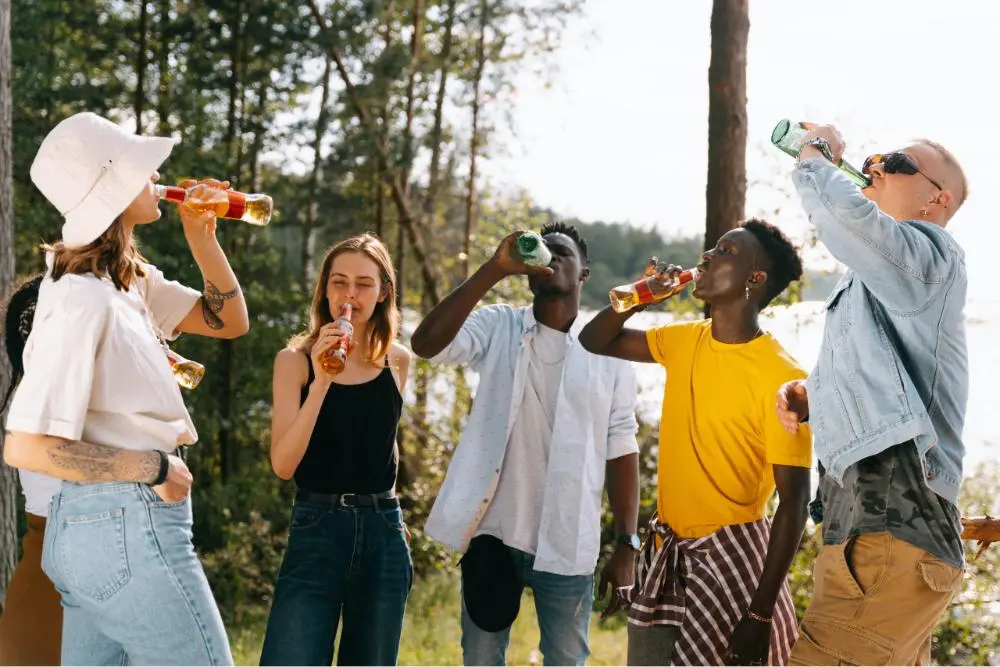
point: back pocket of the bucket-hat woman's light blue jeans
(92, 554)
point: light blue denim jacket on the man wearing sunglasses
(893, 365)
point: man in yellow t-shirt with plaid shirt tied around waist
(712, 586)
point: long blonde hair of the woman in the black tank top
(383, 326)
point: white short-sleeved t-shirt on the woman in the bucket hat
(95, 371)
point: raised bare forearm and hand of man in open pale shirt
(440, 326)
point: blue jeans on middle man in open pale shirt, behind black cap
(562, 604)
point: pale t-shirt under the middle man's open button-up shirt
(515, 513)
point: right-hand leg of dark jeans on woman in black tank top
(378, 584)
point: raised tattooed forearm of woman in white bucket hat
(221, 312)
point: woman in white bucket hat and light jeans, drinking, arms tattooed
(97, 416)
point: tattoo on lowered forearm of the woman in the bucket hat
(98, 463)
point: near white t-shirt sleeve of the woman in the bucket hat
(54, 394)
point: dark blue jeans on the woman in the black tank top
(341, 561)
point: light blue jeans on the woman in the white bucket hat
(132, 587)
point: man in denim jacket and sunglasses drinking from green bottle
(886, 403)
